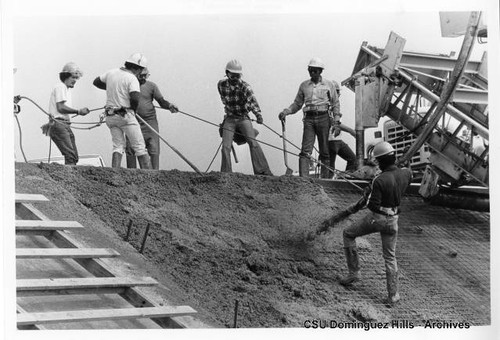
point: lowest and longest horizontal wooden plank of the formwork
(102, 314)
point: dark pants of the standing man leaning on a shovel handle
(316, 126)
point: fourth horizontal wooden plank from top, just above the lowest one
(92, 285)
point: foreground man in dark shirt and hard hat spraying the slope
(382, 198)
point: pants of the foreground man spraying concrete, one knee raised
(370, 223)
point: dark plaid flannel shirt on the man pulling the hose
(239, 99)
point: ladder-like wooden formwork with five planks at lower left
(97, 279)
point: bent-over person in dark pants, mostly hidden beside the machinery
(336, 146)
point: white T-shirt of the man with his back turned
(119, 83)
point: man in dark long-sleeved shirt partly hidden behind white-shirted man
(146, 110)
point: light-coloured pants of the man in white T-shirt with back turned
(126, 126)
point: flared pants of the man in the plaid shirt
(244, 126)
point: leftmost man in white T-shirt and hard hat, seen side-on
(60, 109)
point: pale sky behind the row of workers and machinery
(187, 55)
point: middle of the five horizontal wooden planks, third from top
(57, 253)
